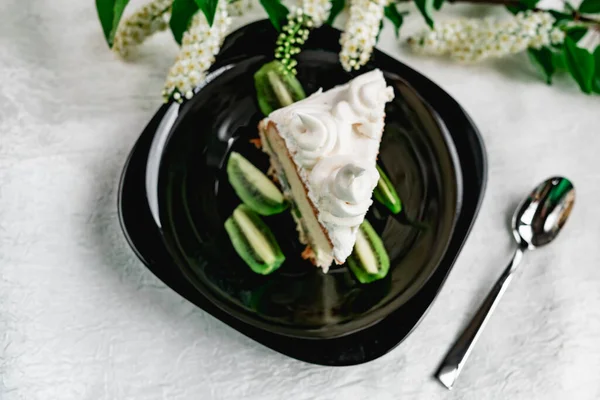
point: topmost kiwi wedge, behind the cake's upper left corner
(276, 87)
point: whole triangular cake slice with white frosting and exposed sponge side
(323, 151)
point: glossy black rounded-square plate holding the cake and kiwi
(175, 178)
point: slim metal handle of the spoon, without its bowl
(458, 354)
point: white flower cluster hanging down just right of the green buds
(360, 35)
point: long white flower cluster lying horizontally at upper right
(472, 40)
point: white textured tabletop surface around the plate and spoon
(81, 318)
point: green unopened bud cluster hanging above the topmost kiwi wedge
(292, 37)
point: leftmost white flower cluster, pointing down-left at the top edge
(149, 19)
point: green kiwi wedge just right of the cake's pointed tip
(369, 261)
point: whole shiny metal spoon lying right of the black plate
(536, 222)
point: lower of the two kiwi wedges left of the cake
(253, 241)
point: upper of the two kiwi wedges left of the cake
(253, 187)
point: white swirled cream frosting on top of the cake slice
(334, 138)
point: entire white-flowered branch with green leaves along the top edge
(555, 39)
